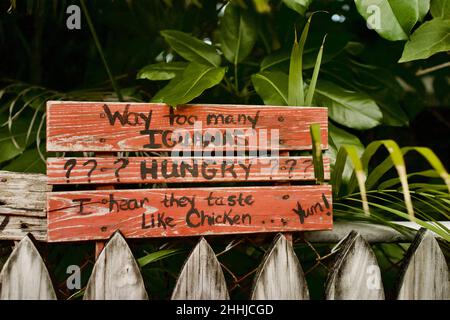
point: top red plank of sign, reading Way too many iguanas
(100, 126)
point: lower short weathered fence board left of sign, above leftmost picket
(17, 227)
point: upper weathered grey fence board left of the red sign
(23, 194)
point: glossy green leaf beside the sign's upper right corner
(348, 108)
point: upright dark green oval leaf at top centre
(238, 33)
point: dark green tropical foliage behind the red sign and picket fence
(379, 66)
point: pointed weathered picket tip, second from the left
(116, 275)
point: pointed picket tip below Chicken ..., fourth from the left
(280, 276)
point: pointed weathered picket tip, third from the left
(201, 277)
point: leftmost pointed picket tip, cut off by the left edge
(24, 275)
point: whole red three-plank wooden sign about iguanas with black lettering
(205, 144)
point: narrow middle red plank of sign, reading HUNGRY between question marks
(171, 170)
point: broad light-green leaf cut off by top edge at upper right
(392, 19)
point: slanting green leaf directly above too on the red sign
(194, 80)
